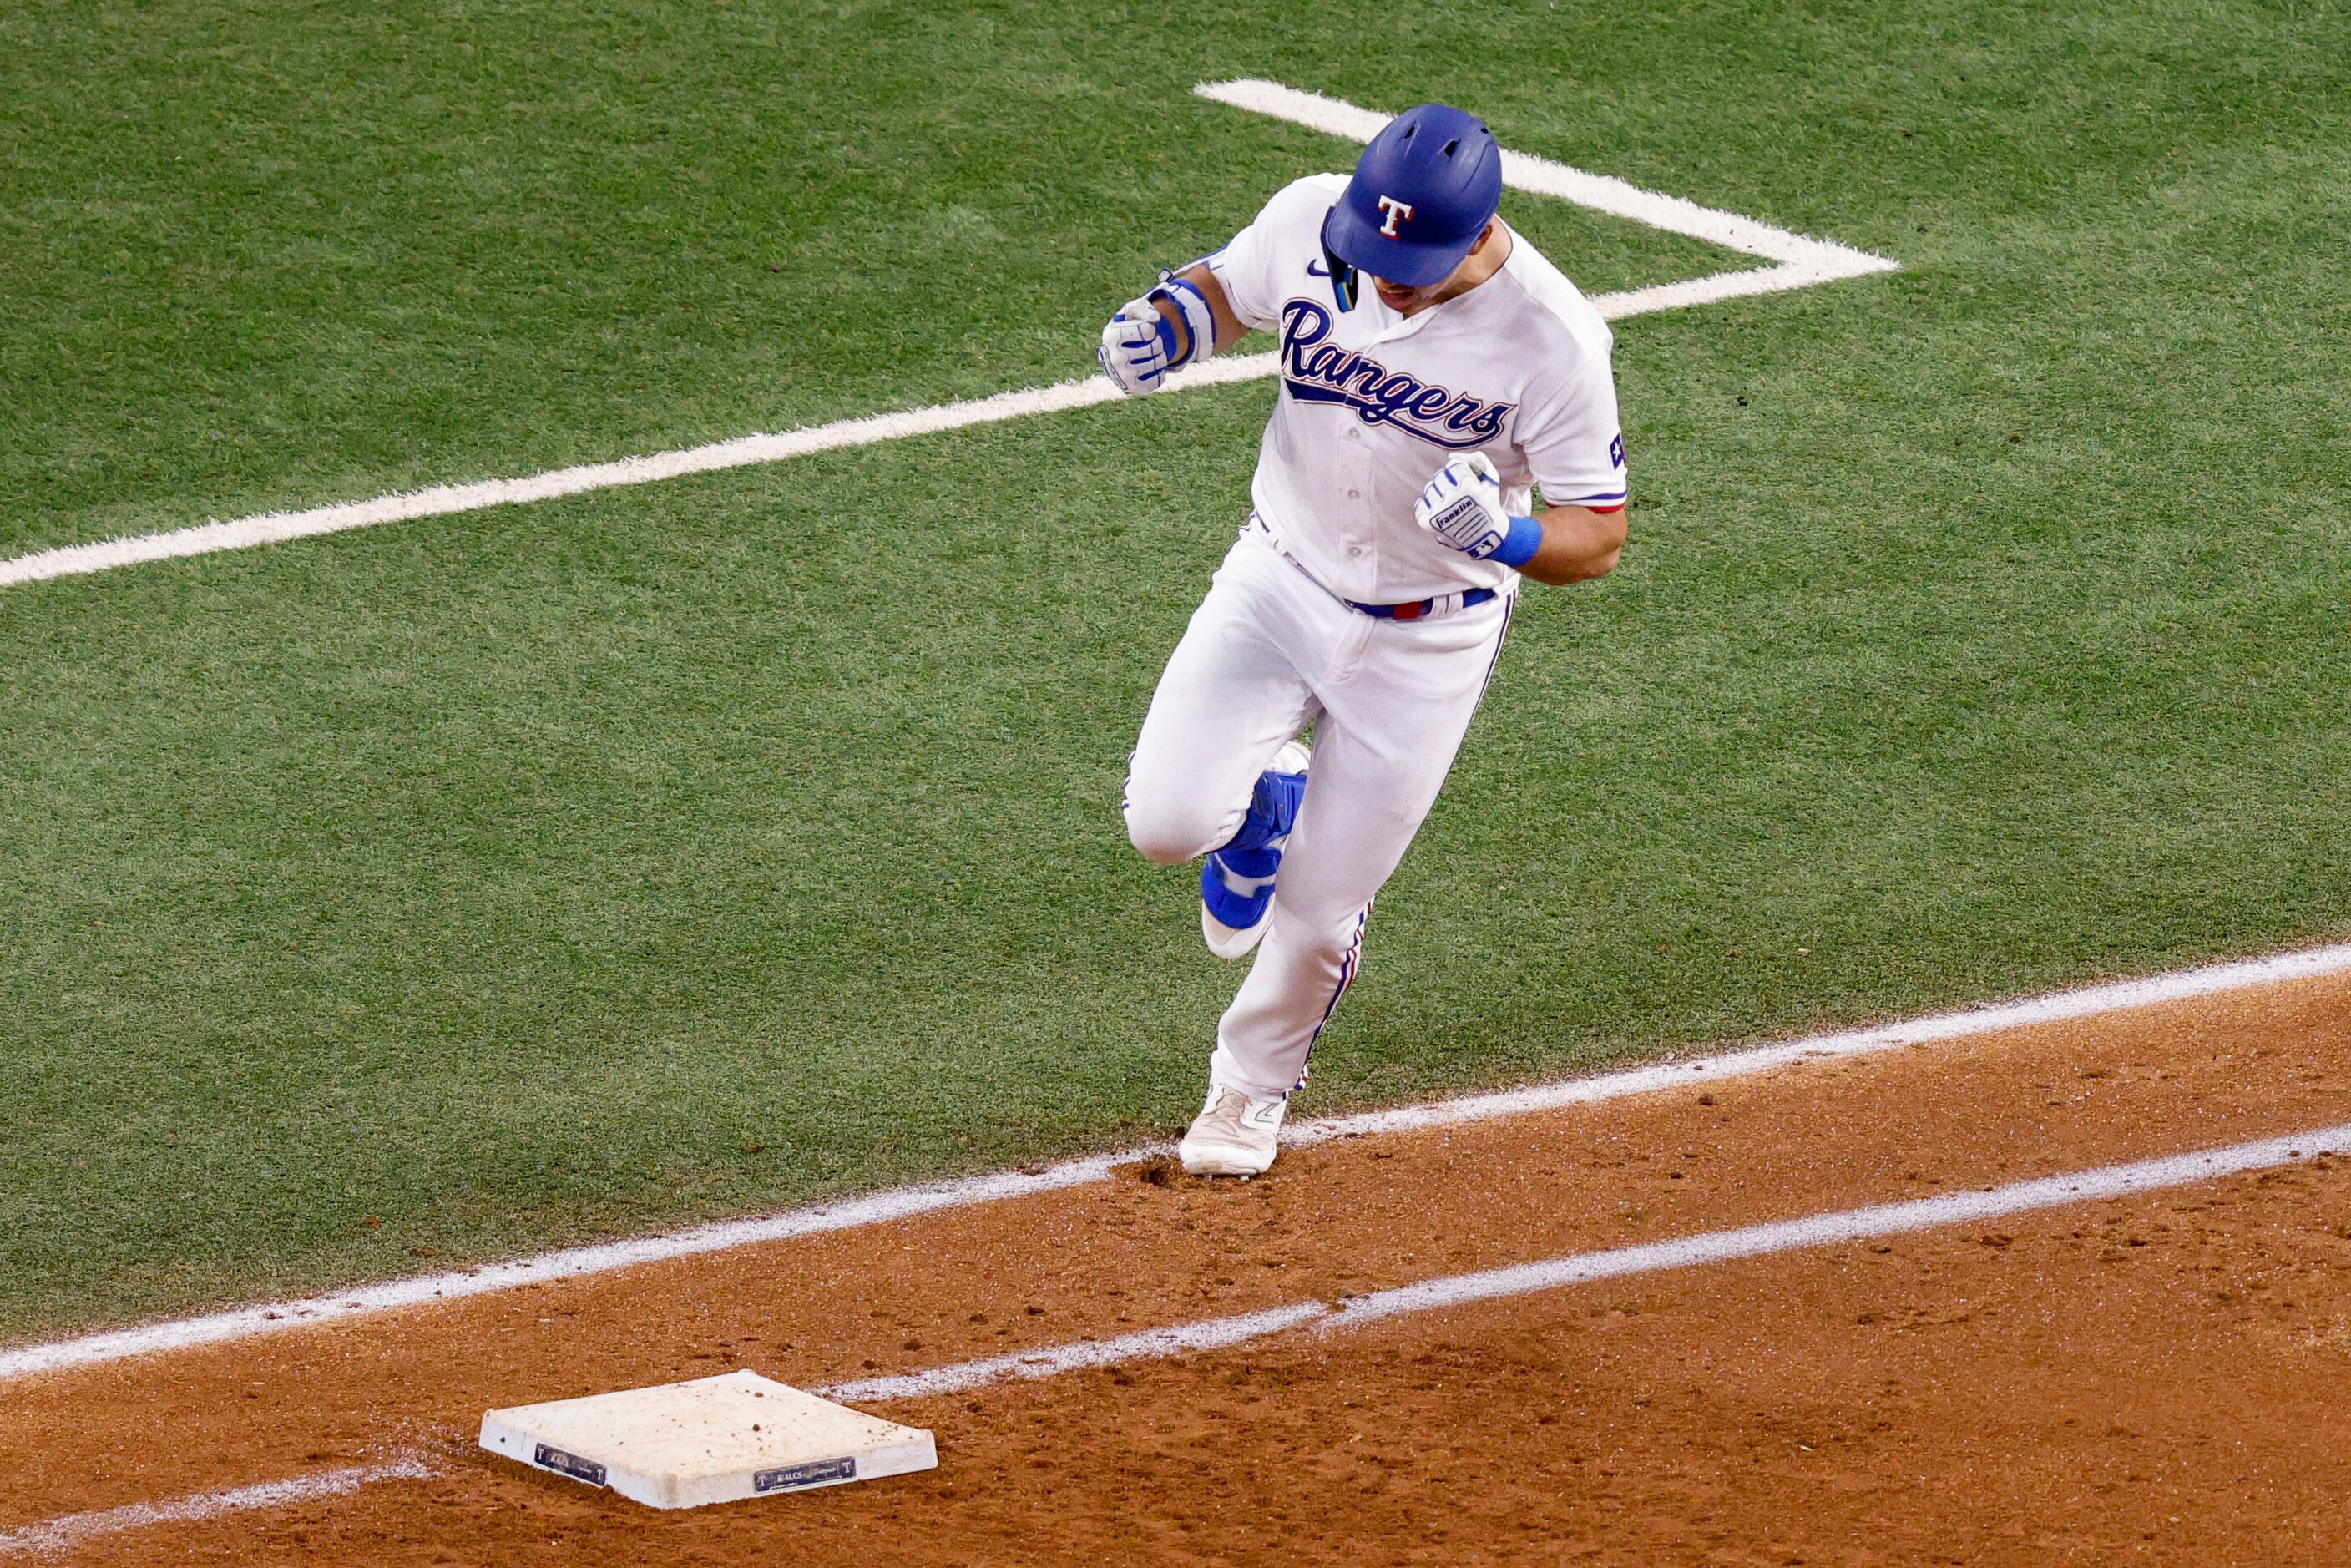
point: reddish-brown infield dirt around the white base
(2152, 1379)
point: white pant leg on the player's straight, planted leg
(1381, 756)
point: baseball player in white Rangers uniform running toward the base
(1435, 373)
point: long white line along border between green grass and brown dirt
(906, 1202)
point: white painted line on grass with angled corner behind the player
(1802, 262)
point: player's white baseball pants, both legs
(1271, 652)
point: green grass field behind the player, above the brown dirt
(464, 887)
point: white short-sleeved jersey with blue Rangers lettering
(1374, 403)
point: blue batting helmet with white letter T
(1419, 201)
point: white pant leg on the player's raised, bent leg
(1228, 699)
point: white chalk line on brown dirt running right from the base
(1616, 1264)
